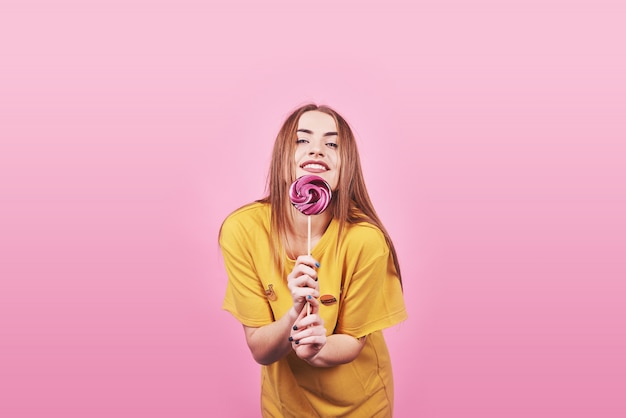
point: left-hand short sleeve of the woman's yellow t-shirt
(245, 297)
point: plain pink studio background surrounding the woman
(492, 135)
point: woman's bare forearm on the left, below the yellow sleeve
(270, 343)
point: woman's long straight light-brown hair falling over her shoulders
(351, 202)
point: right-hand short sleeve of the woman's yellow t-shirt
(372, 296)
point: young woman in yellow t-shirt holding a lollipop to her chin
(334, 361)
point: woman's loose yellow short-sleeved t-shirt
(358, 272)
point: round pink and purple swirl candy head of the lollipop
(310, 194)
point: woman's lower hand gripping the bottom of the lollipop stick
(308, 335)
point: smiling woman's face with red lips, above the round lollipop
(317, 147)
